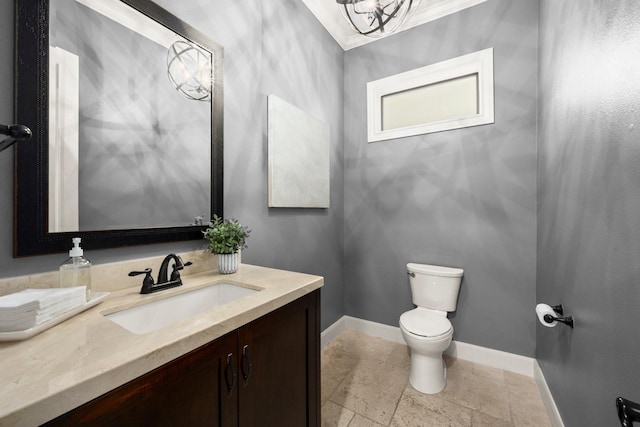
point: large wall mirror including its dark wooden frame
(125, 102)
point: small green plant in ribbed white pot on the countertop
(226, 238)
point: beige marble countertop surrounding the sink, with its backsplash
(88, 355)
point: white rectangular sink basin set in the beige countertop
(158, 314)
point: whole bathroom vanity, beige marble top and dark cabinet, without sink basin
(253, 361)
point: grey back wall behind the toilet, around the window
(463, 198)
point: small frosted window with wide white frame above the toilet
(451, 94)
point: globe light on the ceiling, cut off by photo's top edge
(376, 18)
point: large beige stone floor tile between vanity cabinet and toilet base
(373, 390)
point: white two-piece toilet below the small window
(426, 329)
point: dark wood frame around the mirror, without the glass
(31, 231)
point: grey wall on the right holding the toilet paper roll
(589, 204)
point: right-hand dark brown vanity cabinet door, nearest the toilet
(279, 376)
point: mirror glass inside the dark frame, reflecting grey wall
(126, 149)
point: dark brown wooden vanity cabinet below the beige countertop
(266, 373)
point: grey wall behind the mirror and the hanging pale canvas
(270, 47)
